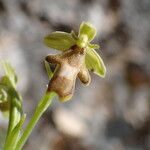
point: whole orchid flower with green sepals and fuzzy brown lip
(78, 57)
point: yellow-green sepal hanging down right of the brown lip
(94, 62)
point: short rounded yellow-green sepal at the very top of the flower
(87, 29)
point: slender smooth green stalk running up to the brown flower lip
(41, 108)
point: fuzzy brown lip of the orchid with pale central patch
(71, 64)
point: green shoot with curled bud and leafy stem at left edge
(11, 101)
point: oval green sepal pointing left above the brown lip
(59, 40)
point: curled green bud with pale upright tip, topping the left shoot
(8, 91)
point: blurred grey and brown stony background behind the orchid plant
(112, 113)
